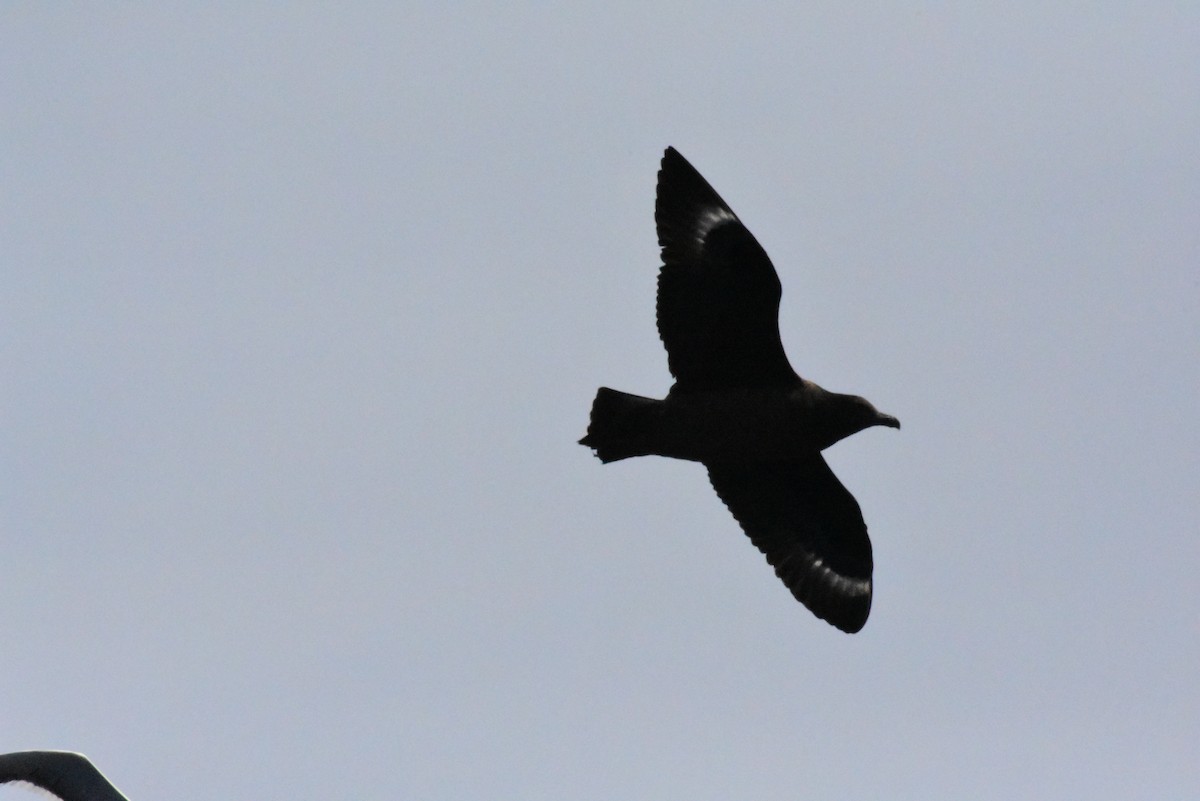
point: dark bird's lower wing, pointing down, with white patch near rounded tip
(812, 531)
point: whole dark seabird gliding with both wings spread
(739, 408)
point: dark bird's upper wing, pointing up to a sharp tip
(718, 306)
